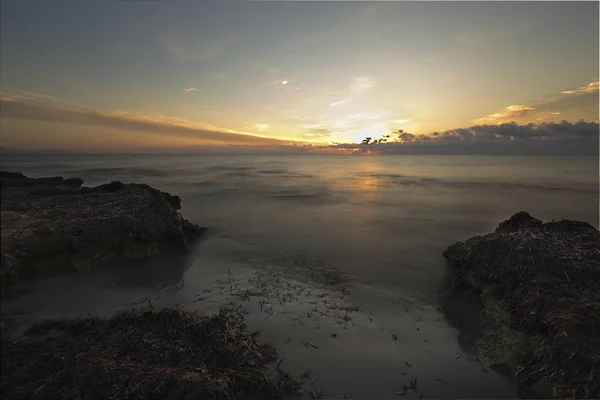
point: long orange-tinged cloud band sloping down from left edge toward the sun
(13, 108)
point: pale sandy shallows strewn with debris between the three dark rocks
(339, 337)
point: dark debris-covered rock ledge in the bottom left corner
(147, 354)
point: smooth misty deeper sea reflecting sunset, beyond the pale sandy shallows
(382, 219)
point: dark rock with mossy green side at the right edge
(540, 285)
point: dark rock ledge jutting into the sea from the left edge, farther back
(50, 222)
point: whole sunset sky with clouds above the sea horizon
(213, 75)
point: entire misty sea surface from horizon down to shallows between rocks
(288, 224)
